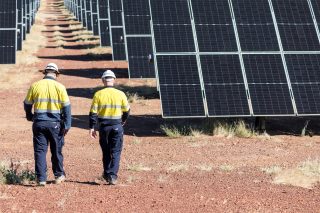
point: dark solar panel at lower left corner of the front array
(180, 86)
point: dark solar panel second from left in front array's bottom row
(224, 85)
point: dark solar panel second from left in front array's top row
(215, 32)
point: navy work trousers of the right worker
(111, 141)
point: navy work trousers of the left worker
(45, 133)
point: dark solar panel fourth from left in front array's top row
(296, 27)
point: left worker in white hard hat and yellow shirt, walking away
(51, 122)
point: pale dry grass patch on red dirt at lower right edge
(306, 175)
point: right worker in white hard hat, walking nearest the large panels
(110, 109)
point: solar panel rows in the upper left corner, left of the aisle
(16, 18)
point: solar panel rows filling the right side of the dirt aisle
(220, 58)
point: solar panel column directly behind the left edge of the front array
(138, 38)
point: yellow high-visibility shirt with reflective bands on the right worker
(109, 103)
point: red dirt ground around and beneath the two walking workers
(157, 174)
